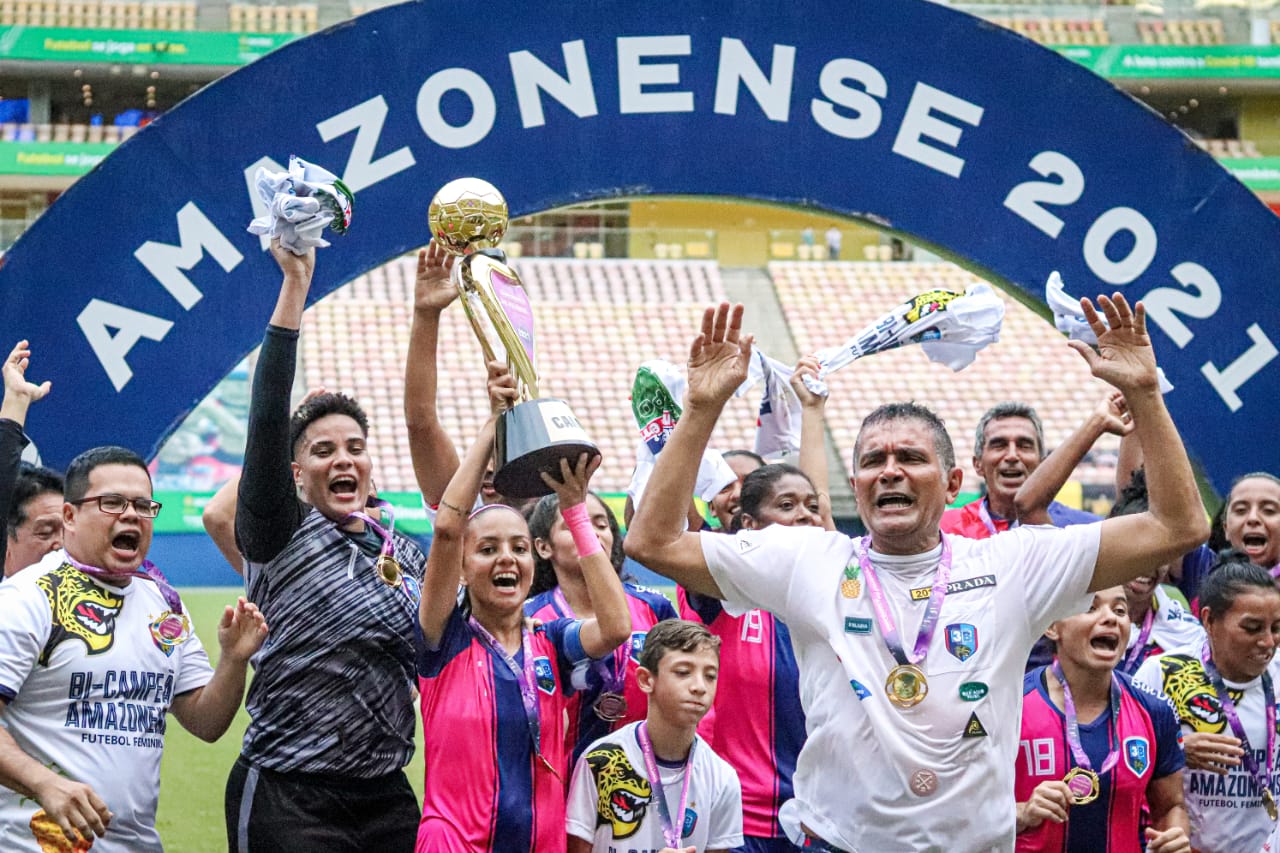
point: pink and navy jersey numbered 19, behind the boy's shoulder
(760, 724)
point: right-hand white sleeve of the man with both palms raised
(1050, 569)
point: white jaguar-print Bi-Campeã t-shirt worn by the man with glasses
(89, 673)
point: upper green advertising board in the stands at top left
(138, 47)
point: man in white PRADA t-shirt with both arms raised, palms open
(913, 749)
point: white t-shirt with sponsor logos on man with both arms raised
(863, 756)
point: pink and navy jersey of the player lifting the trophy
(486, 790)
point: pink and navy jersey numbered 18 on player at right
(1150, 749)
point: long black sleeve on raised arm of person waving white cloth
(268, 510)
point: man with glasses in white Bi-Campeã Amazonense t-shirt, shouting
(95, 651)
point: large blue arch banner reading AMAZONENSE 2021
(141, 289)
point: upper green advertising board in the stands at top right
(1171, 62)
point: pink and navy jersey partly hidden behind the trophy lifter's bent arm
(647, 609)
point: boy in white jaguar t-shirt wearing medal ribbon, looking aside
(614, 808)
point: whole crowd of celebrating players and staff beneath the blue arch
(816, 691)
